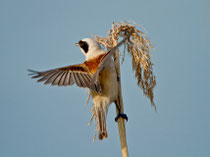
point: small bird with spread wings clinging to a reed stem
(97, 73)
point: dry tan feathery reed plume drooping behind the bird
(138, 46)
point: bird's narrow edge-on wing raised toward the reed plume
(108, 55)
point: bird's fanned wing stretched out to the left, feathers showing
(67, 76)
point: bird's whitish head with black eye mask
(90, 48)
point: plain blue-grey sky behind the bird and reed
(45, 121)
